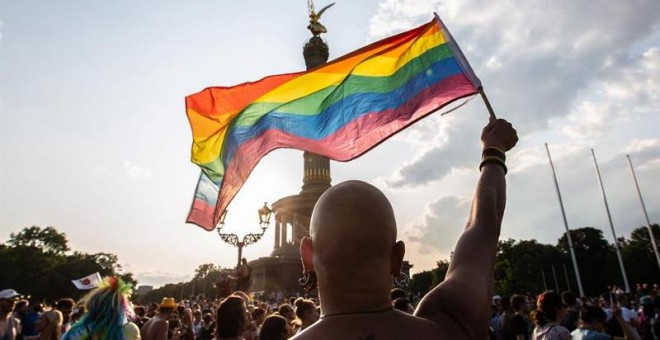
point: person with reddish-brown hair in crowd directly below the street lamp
(232, 320)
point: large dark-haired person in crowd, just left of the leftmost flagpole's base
(550, 311)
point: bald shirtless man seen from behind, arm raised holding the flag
(354, 253)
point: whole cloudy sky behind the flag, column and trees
(94, 139)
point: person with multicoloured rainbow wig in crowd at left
(108, 315)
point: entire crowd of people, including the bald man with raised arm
(351, 258)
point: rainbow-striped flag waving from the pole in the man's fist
(340, 110)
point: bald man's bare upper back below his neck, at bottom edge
(390, 325)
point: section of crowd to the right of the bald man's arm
(555, 316)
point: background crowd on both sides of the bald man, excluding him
(107, 313)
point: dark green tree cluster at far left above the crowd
(44, 270)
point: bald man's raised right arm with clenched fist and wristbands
(462, 302)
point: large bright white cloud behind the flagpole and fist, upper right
(540, 62)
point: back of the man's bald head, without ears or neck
(353, 221)
